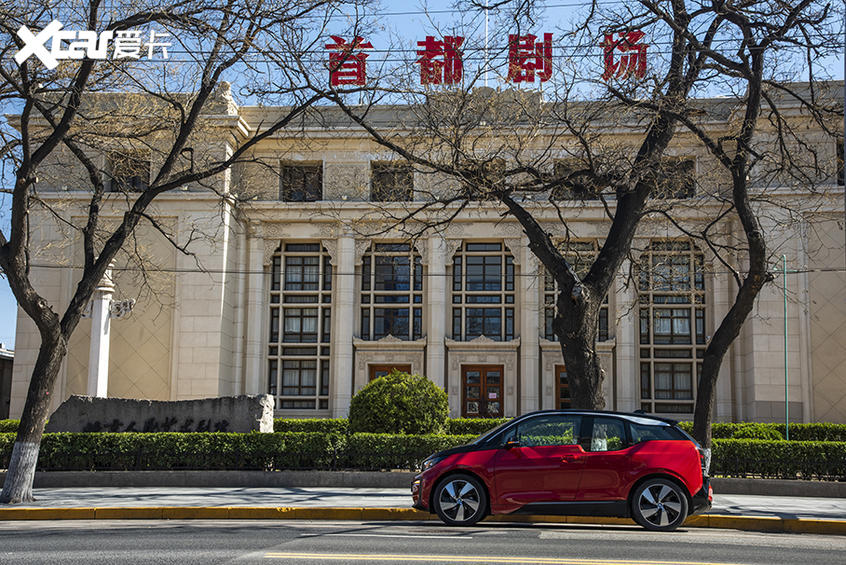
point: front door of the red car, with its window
(541, 464)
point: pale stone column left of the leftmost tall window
(255, 368)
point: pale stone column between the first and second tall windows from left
(343, 314)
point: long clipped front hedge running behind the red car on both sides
(310, 450)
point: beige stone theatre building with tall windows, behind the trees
(289, 293)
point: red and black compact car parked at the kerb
(570, 462)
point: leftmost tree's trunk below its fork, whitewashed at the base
(18, 485)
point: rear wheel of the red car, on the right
(659, 505)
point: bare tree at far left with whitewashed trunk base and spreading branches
(149, 123)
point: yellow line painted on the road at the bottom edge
(474, 559)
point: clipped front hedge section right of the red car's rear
(779, 459)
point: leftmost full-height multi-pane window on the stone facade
(300, 327)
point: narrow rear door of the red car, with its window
(606, 465)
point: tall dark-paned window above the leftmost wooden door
(391, 292)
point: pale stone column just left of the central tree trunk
(529, 329)
